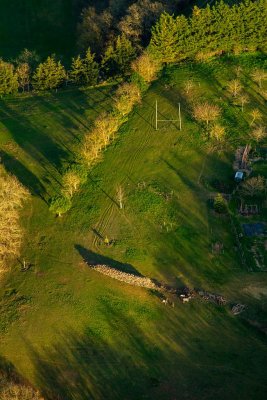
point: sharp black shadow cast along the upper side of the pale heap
(93, 259)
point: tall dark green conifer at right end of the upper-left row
(118, 56)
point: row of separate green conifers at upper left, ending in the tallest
(51, 74)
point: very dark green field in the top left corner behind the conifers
(47, 26)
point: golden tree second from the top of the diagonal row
(127, 95)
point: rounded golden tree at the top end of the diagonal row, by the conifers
(147, 67)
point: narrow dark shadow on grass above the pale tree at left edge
(24, 175)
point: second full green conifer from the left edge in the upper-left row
(49, 75)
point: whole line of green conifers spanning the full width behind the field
(208, 31)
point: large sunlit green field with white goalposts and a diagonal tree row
(81, 335)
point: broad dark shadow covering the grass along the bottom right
(205, 353)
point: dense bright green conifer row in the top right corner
(211, 30)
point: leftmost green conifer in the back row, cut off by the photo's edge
(8, 78)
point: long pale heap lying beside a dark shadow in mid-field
(131, 279)
